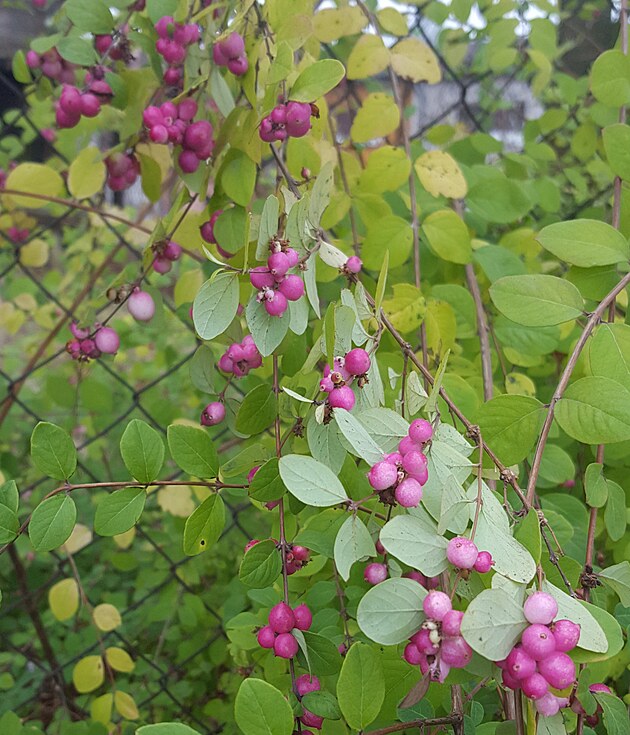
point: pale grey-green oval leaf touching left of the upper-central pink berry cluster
(215, 305)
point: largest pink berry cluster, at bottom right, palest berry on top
(540, 661)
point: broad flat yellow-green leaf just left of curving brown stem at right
(510, 425)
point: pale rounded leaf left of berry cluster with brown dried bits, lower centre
(391, 611)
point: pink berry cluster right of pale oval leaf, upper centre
(276, 285)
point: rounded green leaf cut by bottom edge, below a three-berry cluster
(260, 709)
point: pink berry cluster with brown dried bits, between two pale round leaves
(438, 646)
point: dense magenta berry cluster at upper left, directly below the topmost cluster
(171, 123)
